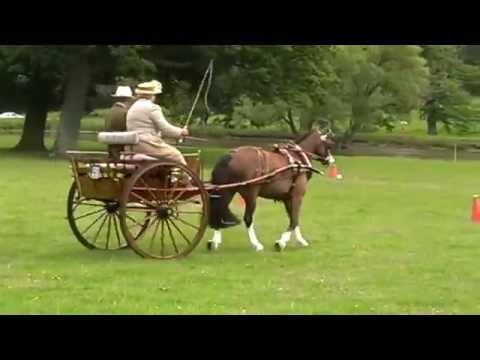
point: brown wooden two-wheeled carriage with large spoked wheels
(158, 209)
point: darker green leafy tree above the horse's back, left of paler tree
(293, 78)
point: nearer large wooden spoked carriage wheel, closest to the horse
(177, 205)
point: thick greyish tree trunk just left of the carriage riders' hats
(74, 105)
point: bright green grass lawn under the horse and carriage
(393, 237)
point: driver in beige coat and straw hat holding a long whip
(147, 119)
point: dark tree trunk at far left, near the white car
(36, 118)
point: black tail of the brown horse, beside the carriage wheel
(221, 216)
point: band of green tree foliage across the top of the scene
(348, 88)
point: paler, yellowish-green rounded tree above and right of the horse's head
(374, 82)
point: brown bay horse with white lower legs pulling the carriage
(289, 187)
